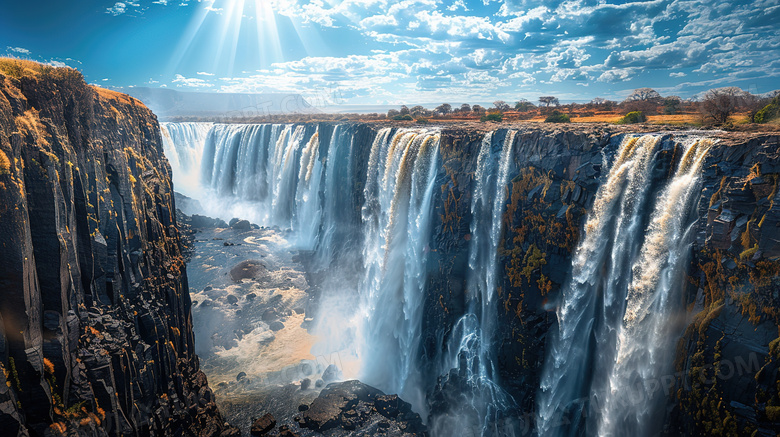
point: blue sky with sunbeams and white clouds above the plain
(408, 51)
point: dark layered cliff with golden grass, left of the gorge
(96, 332)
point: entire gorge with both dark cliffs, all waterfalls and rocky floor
(453, 279)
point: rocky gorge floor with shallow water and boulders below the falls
(252, 307)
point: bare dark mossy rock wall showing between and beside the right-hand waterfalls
(726, 370)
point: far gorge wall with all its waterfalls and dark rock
(598, 280)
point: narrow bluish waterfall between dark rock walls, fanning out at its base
(472, 349)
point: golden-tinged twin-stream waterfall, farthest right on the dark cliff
(611, 318)
